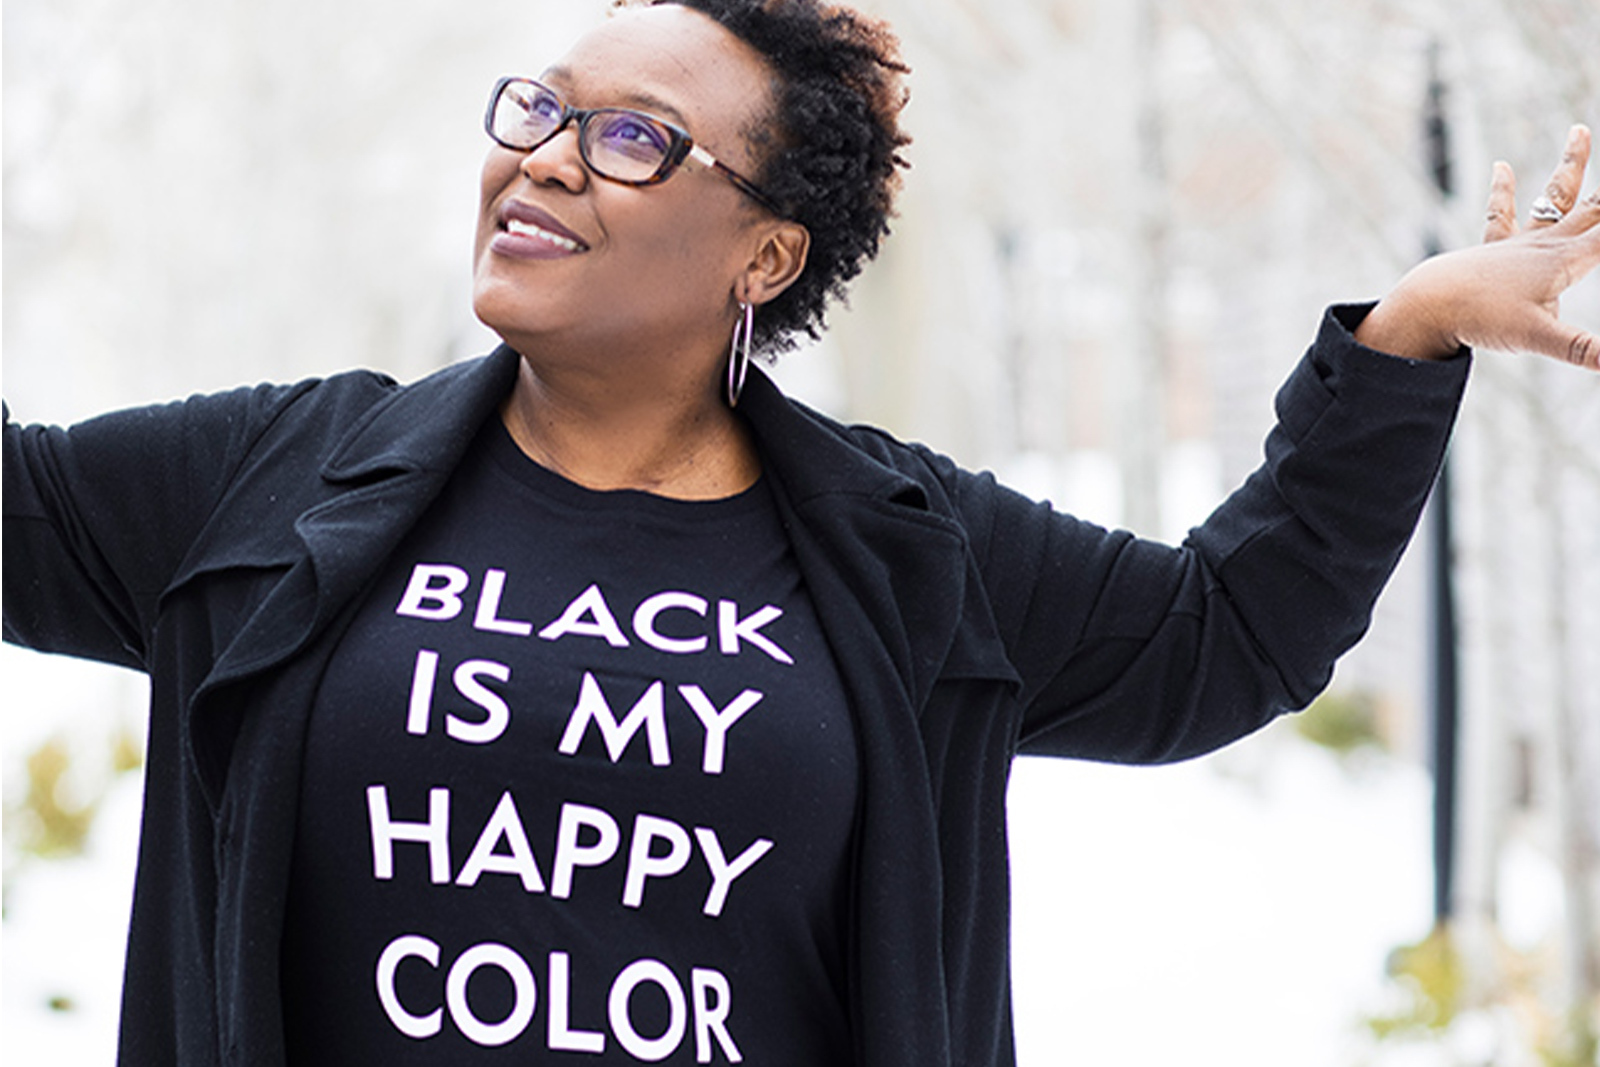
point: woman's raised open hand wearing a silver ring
(1505, 294)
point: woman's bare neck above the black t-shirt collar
(666, 438)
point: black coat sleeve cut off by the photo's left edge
(98, 518)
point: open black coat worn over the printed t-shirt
(222, 543)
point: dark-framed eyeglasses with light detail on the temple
(615, 143)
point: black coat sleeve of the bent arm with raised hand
(1135, 652)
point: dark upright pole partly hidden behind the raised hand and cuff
(1442, 593)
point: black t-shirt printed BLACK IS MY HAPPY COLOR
(578, 788)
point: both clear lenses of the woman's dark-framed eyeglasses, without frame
(620, 145)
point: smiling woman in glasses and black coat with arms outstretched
(596, 703)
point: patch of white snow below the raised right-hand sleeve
(1231, 911)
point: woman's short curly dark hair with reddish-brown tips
(834, 156)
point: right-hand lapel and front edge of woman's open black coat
(898, 599)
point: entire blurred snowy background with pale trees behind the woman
(1121, 230)
